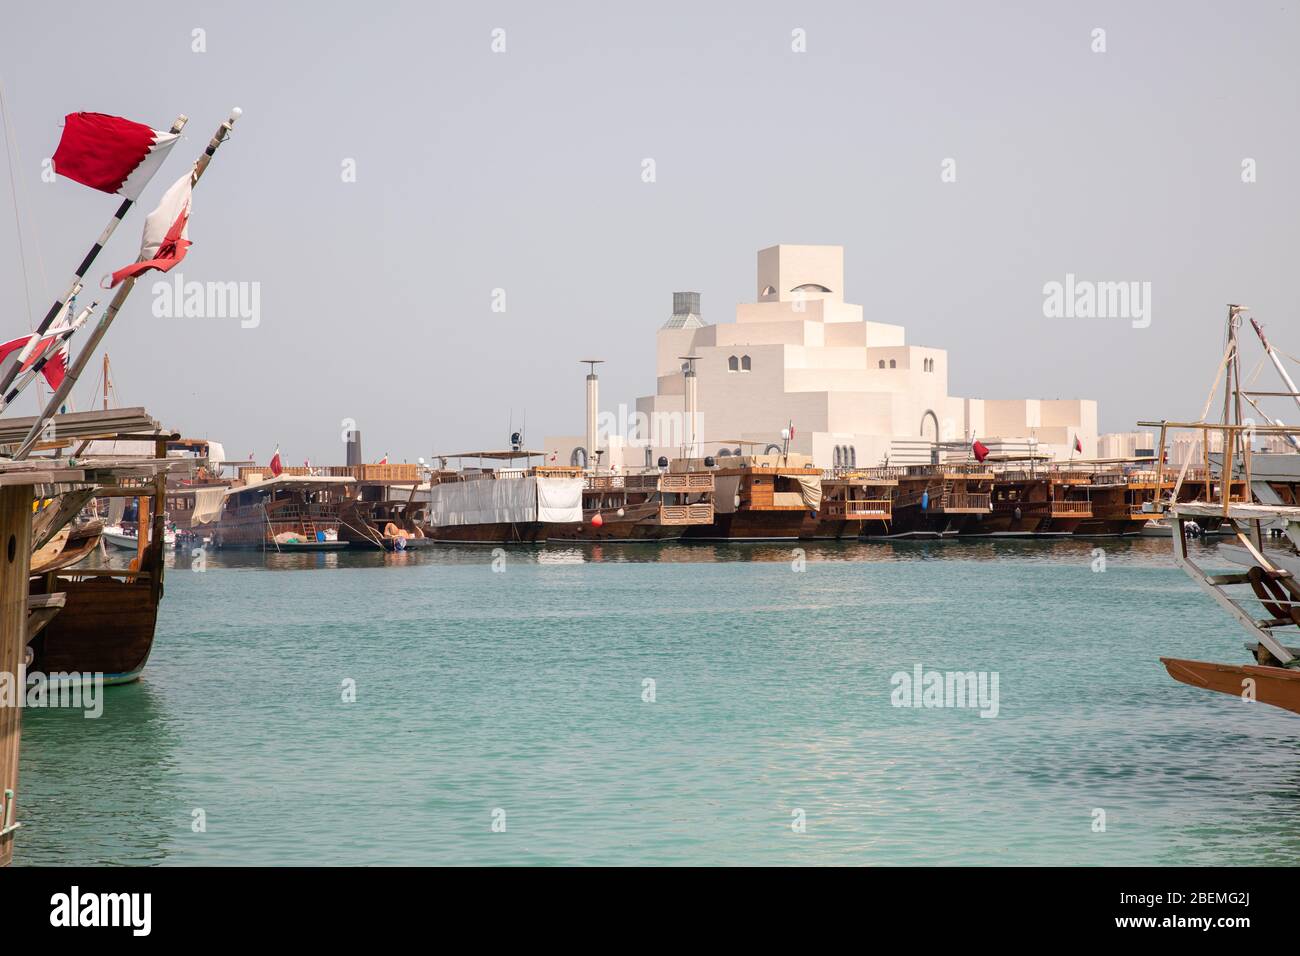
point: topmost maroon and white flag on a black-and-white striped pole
(111, 154)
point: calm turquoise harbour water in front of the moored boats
(522, 691)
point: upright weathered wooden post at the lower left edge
(15, 557)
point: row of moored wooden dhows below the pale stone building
(509, 499)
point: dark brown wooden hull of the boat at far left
(106, 628)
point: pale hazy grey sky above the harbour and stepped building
(523, 171)
